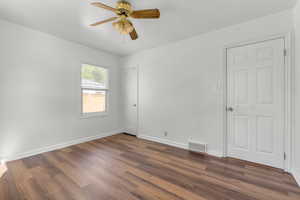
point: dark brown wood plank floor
(126, 168)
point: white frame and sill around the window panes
(107, 94)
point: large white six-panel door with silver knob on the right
(255, 75)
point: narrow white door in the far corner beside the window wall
(130, 91)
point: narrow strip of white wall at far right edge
(296, 138)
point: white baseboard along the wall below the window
(60, 146)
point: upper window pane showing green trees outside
(93, 77)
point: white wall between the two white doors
(180, 89)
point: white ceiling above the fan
(179, 19)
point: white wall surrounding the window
(40, 91)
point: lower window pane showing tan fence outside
(93, 101)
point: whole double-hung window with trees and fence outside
(94, 89)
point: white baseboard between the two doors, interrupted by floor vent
(175, 144)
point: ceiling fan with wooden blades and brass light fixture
(124, 11)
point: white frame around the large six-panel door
(288, 95)
